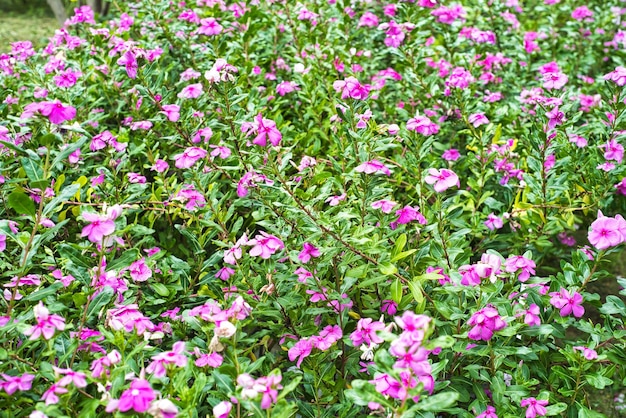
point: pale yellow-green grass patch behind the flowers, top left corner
(15, 27)
